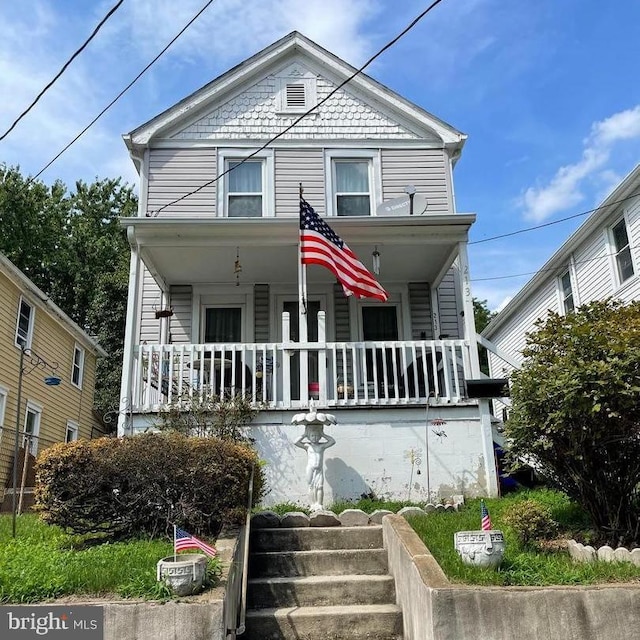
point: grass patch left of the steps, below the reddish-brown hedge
(43, 563)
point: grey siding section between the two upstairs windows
(295, 166)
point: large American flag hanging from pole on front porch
(319, 244)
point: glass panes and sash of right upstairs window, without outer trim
(352, 187)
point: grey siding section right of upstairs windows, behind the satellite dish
(425, 169)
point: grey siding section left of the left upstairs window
(177, 172)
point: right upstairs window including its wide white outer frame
(352, 179)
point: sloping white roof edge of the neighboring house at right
(598, 218)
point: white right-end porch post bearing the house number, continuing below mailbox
(486, 433)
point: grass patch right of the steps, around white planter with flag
(522, 565)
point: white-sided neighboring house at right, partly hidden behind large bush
(600, 260)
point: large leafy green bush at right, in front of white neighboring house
(576, 412)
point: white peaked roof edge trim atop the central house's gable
(276, 54)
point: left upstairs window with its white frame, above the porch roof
(247, 186)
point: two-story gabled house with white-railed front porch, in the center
(213, 295)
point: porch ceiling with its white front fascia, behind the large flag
(203, 251)
